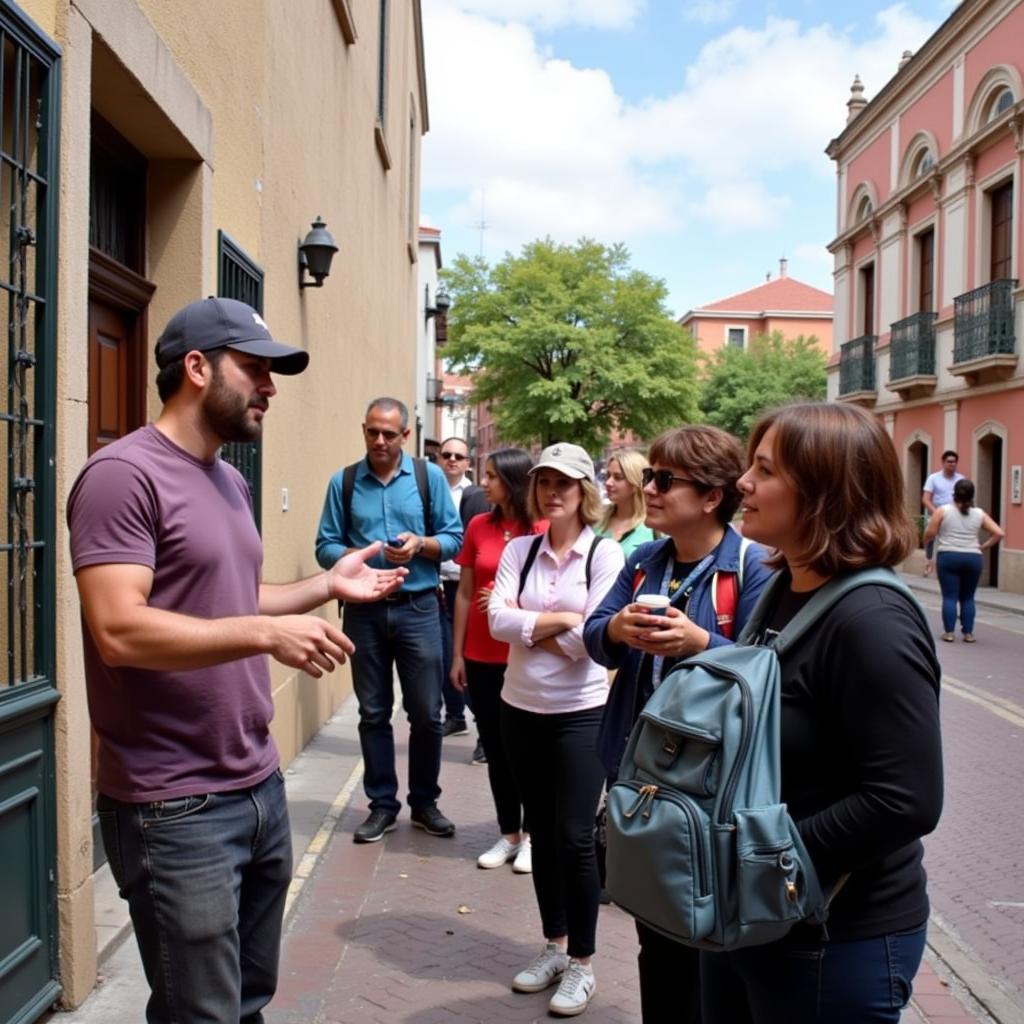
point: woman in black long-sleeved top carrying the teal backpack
(862, 755)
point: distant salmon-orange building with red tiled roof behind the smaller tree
(782, 305)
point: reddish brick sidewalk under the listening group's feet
(411, 930)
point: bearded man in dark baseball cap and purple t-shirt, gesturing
(178, 624)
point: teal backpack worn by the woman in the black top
(701, 848)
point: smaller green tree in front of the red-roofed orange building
(741, 383)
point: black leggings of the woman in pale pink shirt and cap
(561, 778)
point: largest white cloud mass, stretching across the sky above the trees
(558, 150)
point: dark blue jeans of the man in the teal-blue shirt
(404, 636)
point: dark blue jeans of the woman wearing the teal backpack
(868, 982)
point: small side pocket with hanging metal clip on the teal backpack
(777, 882)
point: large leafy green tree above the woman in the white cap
(570, 344)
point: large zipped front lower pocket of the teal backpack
(659, 860)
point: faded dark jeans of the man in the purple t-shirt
(205, 878)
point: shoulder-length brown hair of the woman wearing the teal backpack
(844, 468)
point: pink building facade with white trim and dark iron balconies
(929, 311)
